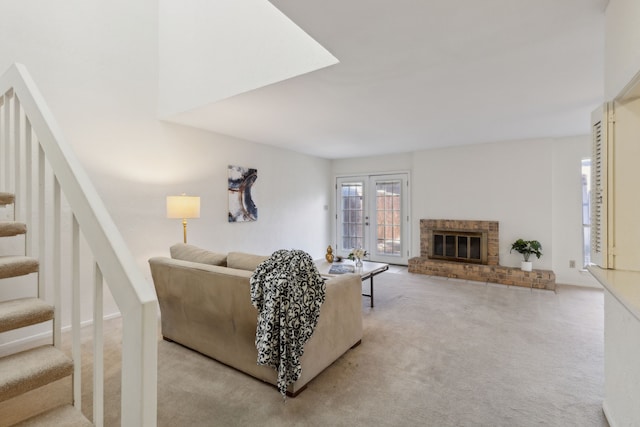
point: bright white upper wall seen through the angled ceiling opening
(210, 50)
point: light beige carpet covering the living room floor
(435, 352)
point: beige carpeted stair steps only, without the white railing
(37, 367)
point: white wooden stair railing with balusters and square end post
(34, 157)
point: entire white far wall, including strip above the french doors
(532, 188)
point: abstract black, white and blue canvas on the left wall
(241, 205)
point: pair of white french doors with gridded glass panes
(373, 213)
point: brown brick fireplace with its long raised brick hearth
(470, 250)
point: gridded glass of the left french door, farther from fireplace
(352, 206)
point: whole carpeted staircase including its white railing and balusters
(49, 202)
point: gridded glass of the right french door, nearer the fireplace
(388, 214)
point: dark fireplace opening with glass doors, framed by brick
(459, 246)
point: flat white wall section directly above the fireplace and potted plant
(505, 182)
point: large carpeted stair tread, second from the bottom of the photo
(30, 369)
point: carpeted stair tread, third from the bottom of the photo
(23, 312)
